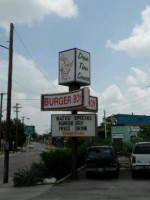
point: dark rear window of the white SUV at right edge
(142, 149)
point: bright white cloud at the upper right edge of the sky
(138, 43)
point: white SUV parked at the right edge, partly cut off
(140, 158)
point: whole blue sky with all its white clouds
(115, 32)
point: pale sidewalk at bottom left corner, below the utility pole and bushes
(7, 191)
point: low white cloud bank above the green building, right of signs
(115, 101)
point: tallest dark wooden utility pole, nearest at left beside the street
(10, 67)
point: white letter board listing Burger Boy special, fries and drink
(74, 125)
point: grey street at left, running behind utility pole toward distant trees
(19, 160)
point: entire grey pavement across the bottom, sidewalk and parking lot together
(124, 188)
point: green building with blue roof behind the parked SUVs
(126, 127)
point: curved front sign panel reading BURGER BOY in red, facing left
(78, 99)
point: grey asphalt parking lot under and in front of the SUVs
(104, 188)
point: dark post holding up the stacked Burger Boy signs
(74, 140)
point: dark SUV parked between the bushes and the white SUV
(101, 159)
